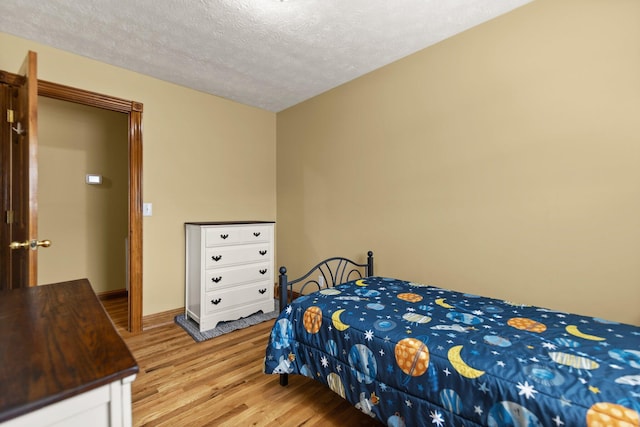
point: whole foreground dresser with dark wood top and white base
(61, 359)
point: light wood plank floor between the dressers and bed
(220, 382)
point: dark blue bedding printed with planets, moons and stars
(409, 354)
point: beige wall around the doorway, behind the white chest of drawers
(205, 158)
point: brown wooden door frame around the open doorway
(134, 111)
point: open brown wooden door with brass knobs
(20, 179)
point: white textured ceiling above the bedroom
(270, 54)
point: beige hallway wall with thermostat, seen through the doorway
(86, 223)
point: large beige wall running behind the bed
(503, 162)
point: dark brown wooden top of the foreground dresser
(56, 341)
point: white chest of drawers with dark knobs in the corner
(229, 270)
